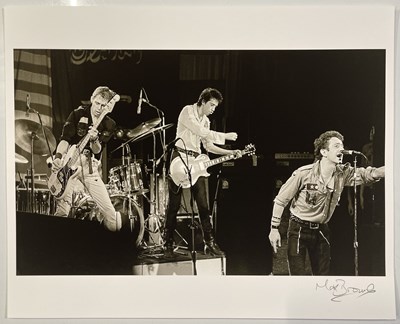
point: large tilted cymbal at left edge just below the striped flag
(26, 129)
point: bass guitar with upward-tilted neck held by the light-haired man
(58, 182)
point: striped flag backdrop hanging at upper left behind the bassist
(32, 69)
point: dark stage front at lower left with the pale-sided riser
(50, 245)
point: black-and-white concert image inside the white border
(147, 119)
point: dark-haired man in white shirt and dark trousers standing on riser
(193, 129)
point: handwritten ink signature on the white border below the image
(340, 289)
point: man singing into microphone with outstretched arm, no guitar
(313, 192)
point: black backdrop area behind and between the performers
(278, 100)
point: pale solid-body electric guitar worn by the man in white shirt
(197, 167)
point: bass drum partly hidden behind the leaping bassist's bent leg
(87, 209)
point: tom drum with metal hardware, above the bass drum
(127, 179)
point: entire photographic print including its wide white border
(222, 168)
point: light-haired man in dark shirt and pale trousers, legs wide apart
(78, 124)
